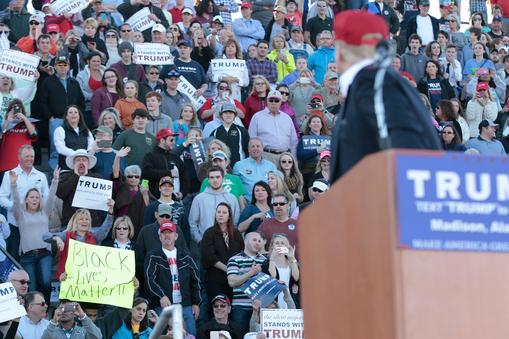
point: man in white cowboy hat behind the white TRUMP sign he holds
(80, 163)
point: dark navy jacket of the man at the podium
(356, 133)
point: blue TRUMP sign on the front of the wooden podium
(453, 202)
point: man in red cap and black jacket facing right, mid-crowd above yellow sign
(162, 162)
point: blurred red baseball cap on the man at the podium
(357, 28)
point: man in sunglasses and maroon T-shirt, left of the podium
(281, 223)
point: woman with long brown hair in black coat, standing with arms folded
(220, 242)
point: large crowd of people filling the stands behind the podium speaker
(200, 227)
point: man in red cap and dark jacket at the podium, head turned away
(357, 132)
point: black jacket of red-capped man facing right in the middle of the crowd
(157, 164)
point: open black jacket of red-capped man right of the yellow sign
(159, 282)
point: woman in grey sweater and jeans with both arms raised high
(32, 216)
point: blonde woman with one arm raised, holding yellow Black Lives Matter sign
(80, 229)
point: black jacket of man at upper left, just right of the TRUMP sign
(55, 98)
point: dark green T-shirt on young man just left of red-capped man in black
(140, 145)
